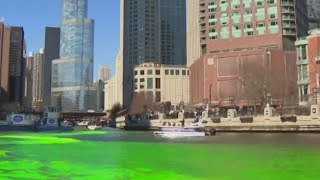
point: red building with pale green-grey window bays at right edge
(308, 59)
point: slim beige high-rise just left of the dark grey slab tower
(38, 80)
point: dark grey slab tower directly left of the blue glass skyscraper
(51, 52)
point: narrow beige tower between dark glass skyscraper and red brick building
(193, 32)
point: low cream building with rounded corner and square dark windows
(165, 82)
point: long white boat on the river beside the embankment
(177, 134)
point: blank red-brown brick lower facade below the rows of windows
(245, 76)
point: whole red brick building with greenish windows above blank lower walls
(245, 44)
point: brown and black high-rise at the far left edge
(12, 64)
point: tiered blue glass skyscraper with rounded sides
(72, 74)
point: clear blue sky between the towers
(35, 15)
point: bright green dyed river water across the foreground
(100, 155)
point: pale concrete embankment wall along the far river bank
(239, 124)
